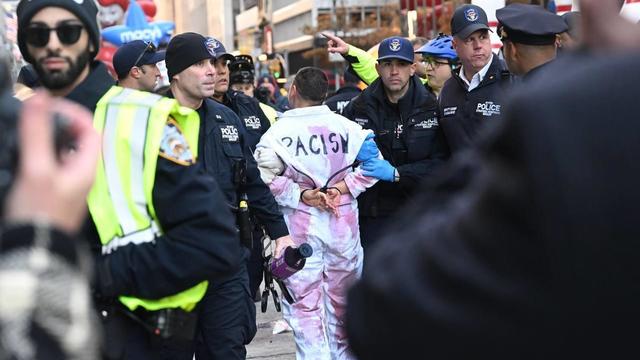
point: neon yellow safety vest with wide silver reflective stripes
(121, 201)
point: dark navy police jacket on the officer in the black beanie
(223, 142)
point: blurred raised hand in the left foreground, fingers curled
(47, 189)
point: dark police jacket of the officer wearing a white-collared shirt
(465, 113)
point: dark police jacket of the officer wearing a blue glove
(409, 137)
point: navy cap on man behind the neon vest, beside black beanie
(135, 53)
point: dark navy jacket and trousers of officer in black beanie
(227, 312)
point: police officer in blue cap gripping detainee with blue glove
(404, 118)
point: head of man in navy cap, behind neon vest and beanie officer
(135, 64)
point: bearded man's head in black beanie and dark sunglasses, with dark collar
(61, 38)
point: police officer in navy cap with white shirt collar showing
(476, 91)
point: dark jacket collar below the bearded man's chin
(89, 91)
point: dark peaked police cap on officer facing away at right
(529, 24)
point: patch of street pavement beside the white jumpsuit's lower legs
(265, 345)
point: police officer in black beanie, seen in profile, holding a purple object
(227, 315)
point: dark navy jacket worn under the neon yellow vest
(199, 240)
